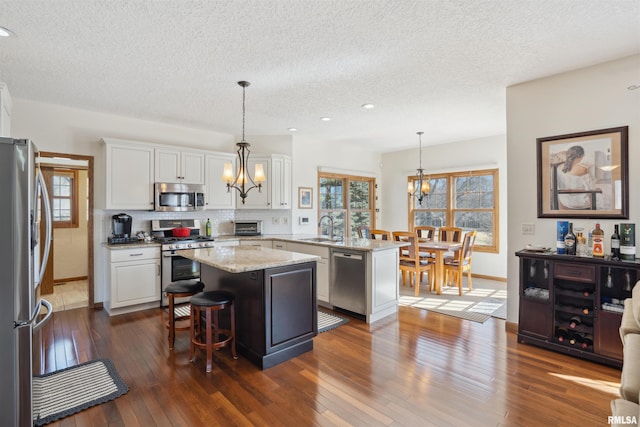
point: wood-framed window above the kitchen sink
(349, 200)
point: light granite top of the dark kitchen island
(239, 259)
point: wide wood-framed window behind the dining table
(463, 199)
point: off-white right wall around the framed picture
(587, 99)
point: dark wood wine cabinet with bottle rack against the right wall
(574, 304)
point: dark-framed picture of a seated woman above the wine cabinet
(584, 175)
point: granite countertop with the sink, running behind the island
(349, 243)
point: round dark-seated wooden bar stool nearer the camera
(210, 303)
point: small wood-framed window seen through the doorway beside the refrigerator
(64, 198)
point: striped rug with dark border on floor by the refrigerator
(68, 391)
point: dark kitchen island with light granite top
(275, 291)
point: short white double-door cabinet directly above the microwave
(179, 166)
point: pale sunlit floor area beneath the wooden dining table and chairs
(478, 305)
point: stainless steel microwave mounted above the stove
(172, 197)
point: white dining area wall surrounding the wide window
(483, 153)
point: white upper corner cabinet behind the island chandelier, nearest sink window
(276, 191)
